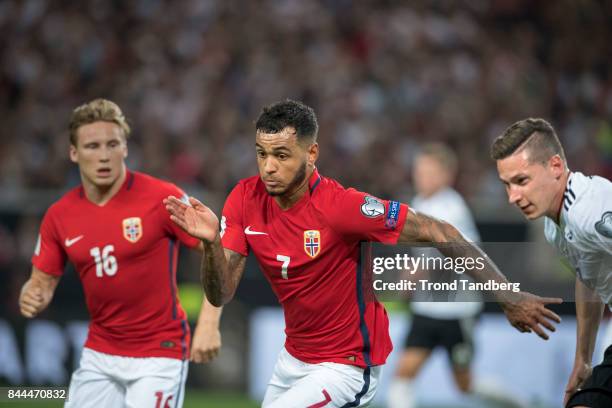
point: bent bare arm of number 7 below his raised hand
(219, 275)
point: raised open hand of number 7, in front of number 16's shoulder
(195, 219)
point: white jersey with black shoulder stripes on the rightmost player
(584, 233)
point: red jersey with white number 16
(125, 253)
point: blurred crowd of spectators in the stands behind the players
(383, 76)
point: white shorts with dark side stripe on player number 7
(303, 385)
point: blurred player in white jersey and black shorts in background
(437, 323)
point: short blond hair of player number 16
(96, 111)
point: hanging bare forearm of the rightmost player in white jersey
(589, 310)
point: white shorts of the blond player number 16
(105, 380)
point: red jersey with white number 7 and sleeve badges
(310, 254)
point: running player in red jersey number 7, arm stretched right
(305, 231)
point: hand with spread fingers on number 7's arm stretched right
(528, 313)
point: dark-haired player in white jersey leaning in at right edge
(578, 210)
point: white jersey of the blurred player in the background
(447, 205)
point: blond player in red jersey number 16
(115, 231)
